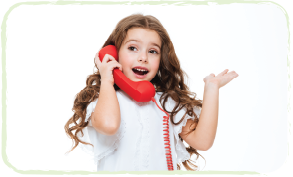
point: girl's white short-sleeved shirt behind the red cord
(139, 143)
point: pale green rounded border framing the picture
(162, 2)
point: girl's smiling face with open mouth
(140, 49)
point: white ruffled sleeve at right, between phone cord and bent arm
(180, 148)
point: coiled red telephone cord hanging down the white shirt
(166, 139)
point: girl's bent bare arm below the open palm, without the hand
(202, 138)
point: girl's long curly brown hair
(169, 80)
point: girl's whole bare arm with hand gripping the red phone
(106, 116)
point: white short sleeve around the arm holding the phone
(103, 145)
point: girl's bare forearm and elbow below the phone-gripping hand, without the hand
(106, 116)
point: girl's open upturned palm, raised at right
(221, 79)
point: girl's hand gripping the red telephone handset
(106, 67)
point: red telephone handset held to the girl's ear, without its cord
(142, 91)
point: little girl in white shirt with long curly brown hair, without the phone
(125, 135)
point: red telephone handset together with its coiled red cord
(141, 91)
